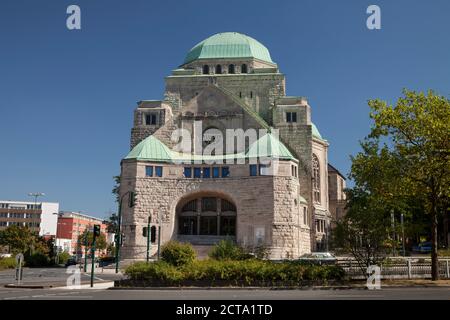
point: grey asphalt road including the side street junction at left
(57, 277)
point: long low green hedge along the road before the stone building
(234, 272)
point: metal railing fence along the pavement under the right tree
(405, 268)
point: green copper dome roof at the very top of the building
(228, 45)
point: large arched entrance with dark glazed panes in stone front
(206, 217)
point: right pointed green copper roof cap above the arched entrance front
(269, 146)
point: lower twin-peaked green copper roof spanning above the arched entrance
(151, 149)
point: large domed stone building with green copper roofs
(227, 81)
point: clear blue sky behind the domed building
(67, 97)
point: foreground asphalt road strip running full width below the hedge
(437, 293)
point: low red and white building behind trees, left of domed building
(70, 226)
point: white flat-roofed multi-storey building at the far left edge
(40, 217)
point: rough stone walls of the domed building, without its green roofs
(277, 210)
